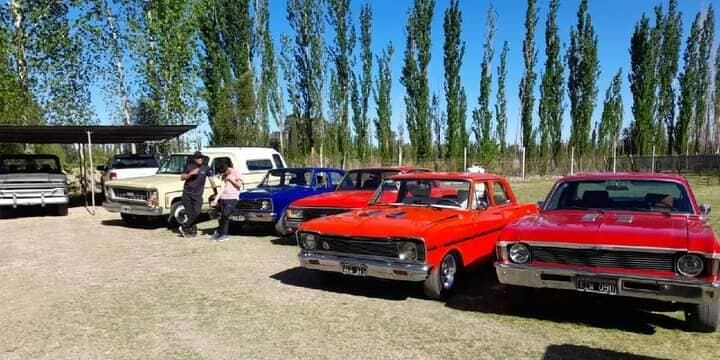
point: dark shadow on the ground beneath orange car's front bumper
(366, 287)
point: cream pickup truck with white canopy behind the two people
(159, 196)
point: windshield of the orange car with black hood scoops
(424, 192)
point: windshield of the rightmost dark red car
(630, 195)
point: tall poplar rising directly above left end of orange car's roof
(415, 77)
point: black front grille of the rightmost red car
(604, 258)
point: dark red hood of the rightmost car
(631, 229)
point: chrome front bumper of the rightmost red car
(684, 291)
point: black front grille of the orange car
(369, 247)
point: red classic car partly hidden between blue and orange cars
(354, 192)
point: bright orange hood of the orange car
(384, 222)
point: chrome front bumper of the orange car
(376, 268)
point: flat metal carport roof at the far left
(100, 134)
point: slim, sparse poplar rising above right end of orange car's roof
(482, 116)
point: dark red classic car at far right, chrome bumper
(635, 235)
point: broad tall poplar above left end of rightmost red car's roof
(584, 70)
